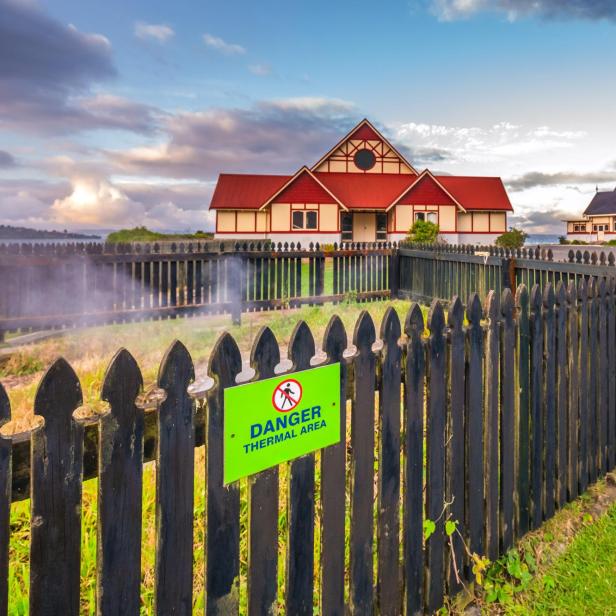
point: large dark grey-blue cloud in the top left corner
(47, 72)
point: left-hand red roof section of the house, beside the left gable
(236, 191)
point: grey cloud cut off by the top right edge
(449, 10)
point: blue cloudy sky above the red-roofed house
(119, 114)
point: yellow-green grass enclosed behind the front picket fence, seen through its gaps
(89, 351)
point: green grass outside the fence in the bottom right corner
(581, 579)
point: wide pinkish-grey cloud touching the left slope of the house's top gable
(273, 136)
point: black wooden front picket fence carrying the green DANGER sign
(512, 405)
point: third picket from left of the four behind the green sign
(300, 501)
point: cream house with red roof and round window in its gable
(362, 190)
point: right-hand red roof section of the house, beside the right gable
(477, 193)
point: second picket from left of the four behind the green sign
(263, 500)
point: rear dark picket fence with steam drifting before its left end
(57, 286)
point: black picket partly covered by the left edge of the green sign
(222, 560)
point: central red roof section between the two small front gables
(371, 191)
